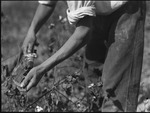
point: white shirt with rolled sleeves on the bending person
(78, 9)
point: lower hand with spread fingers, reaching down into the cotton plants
(32, 78)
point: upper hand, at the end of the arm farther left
(29, 43)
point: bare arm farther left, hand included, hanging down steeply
(42, 14)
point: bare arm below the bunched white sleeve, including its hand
(73, 44)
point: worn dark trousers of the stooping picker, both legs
(120, 64)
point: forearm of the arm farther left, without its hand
(42, 14)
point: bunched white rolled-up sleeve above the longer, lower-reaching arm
(79, 9)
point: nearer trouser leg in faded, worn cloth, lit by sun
(122, 68)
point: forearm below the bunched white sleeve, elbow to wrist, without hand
(74, 43)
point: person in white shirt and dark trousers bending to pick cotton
(121, 25)
